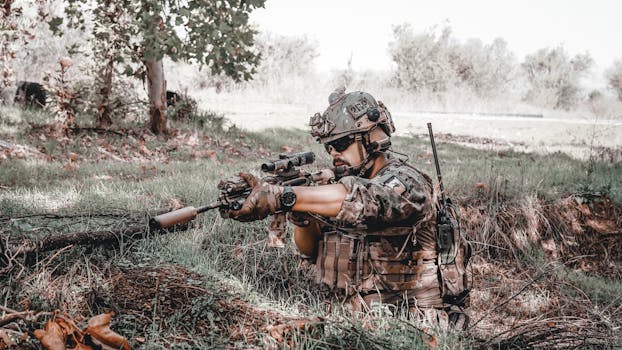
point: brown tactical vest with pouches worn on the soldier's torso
(384, 260)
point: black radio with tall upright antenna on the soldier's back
(445, 224)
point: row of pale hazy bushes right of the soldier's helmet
(434, 61)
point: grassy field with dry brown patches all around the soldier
(545, 227)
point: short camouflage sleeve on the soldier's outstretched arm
(390, 198)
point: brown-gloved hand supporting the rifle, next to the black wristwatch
(263, 200)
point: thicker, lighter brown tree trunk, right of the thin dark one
(157, 95)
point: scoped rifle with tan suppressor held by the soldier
(283, 171)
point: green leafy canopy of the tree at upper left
(215, 34)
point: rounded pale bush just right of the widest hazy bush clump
(554, 77)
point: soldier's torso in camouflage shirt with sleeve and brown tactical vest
(383, 238)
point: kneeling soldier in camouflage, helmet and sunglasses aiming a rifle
(372, 234)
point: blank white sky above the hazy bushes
(363, 28)
